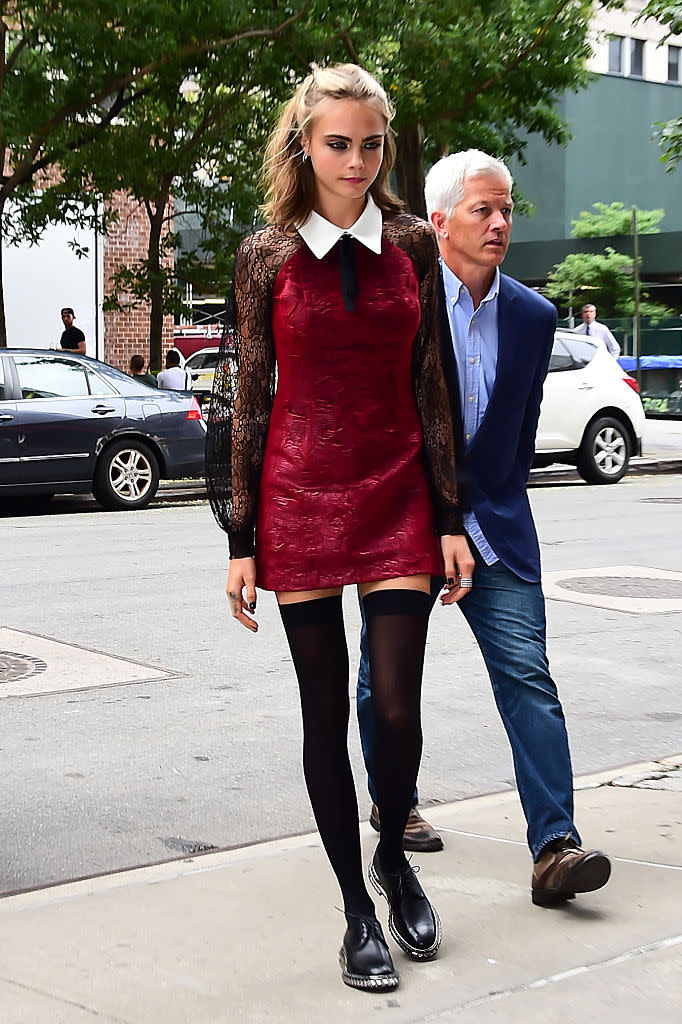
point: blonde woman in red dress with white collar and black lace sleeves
(344, 474)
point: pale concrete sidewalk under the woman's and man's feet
(251, 935)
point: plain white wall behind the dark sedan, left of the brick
(40, 280)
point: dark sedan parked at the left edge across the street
(71, 424)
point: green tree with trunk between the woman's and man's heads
(463, 73)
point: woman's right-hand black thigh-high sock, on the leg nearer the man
(397, 626)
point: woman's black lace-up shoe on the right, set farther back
(412, 921)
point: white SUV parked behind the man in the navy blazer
(591, 415)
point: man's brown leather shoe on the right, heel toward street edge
(562, 873)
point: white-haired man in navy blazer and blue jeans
(496, 338)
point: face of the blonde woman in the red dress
(346, 148)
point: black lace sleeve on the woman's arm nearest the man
(418, 241)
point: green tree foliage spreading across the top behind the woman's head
(95, 90)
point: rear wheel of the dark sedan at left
(126, 476)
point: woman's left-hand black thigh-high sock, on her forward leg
(318, 643)
